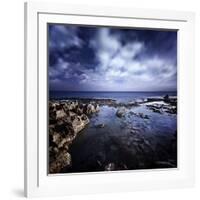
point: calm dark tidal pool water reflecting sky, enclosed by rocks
(130, 142)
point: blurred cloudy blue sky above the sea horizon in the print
(111, 59)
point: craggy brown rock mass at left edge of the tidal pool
(66, 120)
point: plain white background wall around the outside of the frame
(11, 99)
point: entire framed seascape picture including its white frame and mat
(109, 99)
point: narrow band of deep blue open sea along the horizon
(119, 96)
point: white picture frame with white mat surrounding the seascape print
(37, 180)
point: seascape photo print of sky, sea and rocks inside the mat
(112, 98)
